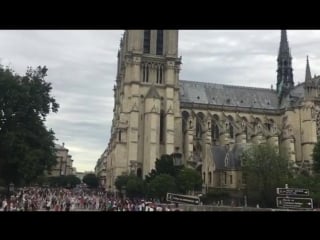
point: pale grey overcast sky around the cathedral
(82, 69)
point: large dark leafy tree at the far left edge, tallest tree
(26, 145)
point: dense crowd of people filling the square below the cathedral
(62, 199)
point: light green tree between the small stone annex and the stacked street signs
(265, 170)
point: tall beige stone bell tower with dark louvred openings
(148, 93)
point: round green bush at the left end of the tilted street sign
(161, 185)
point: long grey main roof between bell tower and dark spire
(228, 95)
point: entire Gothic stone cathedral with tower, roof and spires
(156, 112)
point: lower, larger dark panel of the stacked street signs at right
(294, 203)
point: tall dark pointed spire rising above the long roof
(284, 72)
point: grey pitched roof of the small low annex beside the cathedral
(227, 159)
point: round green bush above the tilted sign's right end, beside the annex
(189, 179)
